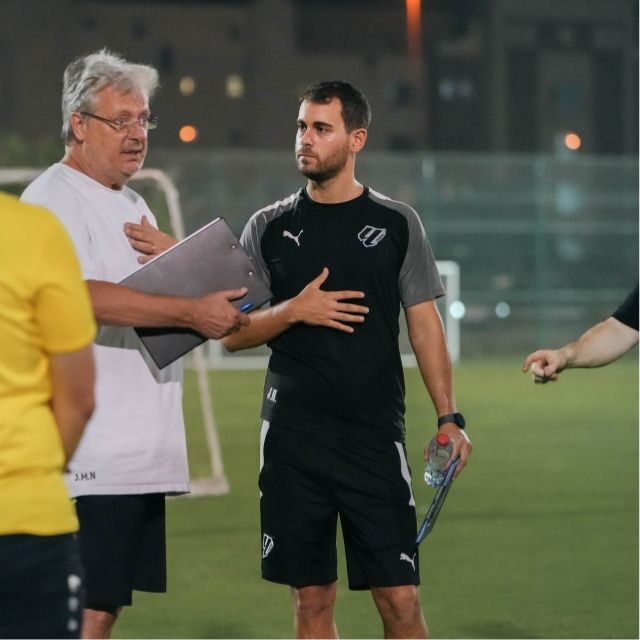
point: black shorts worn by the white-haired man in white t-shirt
(122, 546)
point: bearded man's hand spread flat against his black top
(316, 307)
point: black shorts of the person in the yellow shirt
(41, 591)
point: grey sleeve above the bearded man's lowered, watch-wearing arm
(419, 279)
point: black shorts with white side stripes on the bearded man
(307, 481)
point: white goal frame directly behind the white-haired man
(216, 483)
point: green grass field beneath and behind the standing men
(538, 538)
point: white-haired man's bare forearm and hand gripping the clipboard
(212, 315)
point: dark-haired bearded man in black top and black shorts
(341, 259)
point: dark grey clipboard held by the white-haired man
(209, 260)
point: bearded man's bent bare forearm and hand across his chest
(312, 306)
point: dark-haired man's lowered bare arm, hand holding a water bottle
(426, 335)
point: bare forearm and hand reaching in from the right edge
(600, 345)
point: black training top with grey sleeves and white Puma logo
(322, 380)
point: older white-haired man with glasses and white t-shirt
(133, 452)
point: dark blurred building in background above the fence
(489, 75)
